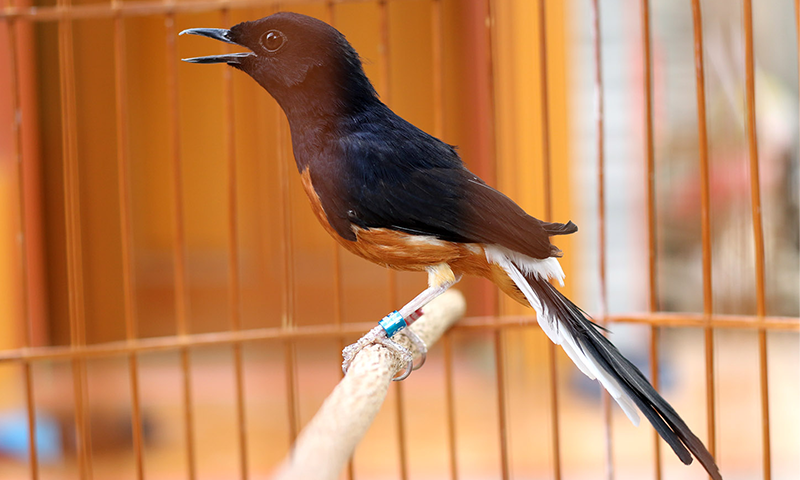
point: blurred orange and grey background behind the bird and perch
(151, 219)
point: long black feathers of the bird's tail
(655, 408)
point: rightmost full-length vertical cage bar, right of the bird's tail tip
(758, 234)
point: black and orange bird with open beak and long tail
(399, 197)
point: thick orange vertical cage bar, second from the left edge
(73, 235)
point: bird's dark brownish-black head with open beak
(298, 59)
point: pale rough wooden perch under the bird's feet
(324, 446)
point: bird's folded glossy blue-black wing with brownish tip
(403, 179)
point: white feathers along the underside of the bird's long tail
(550, 325)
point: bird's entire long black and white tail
(567, 325)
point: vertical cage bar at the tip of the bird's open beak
(179, 246)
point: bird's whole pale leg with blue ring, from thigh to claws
(440, 278)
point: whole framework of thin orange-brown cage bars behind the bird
(78, 351)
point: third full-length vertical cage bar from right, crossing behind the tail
(651, 209)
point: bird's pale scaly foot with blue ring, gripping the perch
(381, 334)
